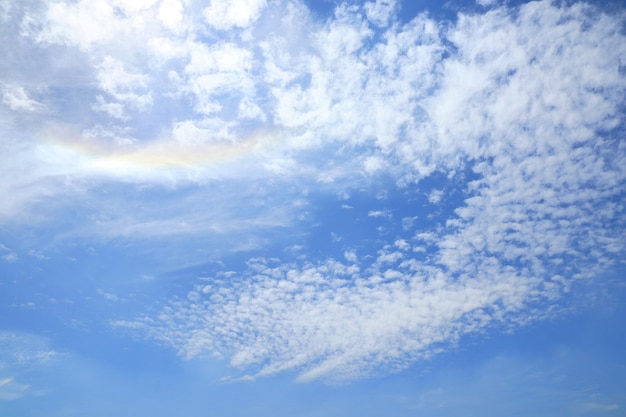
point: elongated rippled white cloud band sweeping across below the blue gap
(334, 320)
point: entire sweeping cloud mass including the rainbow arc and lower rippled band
(238, 114)
